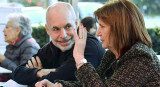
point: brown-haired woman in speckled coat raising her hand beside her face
(130, 60)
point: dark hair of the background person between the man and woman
(88, 22)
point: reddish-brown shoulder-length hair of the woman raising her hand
(127, 24)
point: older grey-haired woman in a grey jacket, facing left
(21, 44)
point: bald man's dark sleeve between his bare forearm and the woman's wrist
(64, 72)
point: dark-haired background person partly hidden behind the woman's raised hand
(90, 24)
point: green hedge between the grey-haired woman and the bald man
(40, 35)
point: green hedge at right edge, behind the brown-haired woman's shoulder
(155, 36)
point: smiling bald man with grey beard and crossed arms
(55, 60)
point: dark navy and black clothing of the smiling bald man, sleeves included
(51, 57)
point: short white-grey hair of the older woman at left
(22, 22)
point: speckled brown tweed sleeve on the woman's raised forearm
(88, 76)
